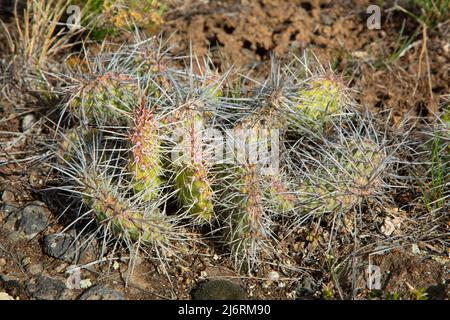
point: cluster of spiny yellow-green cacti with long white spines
(139, 161)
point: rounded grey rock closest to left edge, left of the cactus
(33, 219)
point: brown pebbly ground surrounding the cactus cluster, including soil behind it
(40, 257)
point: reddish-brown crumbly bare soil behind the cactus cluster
(244, 34)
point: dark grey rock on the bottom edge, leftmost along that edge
(46, 288)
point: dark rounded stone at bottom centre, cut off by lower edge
(219, 289)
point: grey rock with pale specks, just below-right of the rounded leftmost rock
(60, 246)
